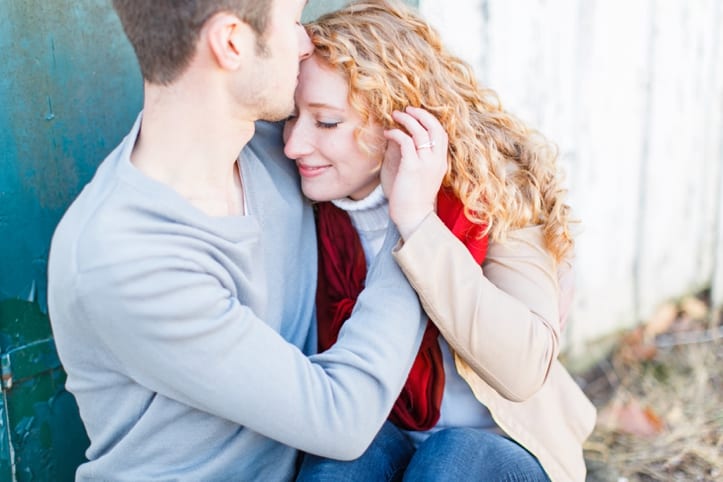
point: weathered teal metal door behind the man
(69, 91)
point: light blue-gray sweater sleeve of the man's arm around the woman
(174, 329)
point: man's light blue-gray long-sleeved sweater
(188, 339)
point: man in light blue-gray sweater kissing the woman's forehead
(182, 279)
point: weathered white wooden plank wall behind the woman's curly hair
(632, 93)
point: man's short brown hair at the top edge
(164, 33)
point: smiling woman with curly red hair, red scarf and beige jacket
(487, 399)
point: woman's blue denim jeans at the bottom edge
(454, 454)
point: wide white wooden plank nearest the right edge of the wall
(678, 218)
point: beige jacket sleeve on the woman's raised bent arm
(503, 319)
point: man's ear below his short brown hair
(230, 40)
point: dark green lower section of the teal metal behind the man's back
(42, 436)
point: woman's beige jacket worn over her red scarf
(503, 322)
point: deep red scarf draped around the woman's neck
(342, 271)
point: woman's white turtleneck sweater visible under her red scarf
(460, 408)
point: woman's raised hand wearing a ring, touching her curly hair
(414, 166)
